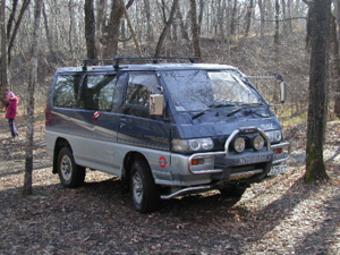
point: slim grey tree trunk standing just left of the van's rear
(27, 190)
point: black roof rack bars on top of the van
(117, 60)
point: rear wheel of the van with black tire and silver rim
(70, 174)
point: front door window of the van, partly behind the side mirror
(140, 87)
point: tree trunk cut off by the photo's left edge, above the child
(3, 59)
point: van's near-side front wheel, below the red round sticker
(144, 192)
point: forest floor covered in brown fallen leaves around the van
(278, 216)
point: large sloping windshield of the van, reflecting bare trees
(198, 90)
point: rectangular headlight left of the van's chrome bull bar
(192, 145)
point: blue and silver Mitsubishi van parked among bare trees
(165, 129)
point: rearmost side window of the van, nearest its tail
(66, 90)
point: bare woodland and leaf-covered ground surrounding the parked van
(260, 37)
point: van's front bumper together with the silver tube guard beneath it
(222, 168)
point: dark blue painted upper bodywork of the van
(157, 133)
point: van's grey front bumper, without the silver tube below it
(224, 166)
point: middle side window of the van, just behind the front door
(97, 92)
